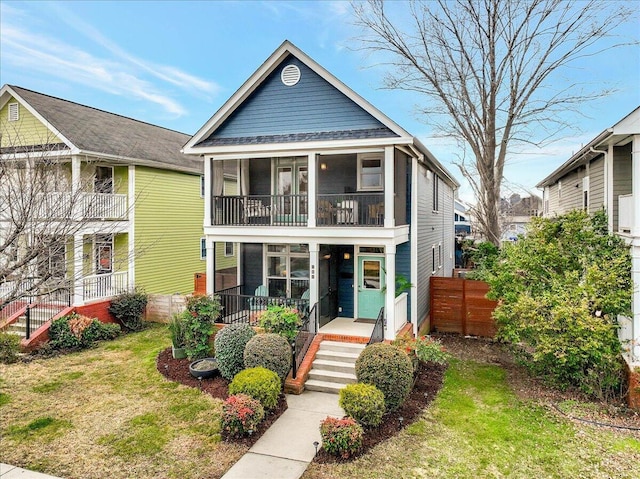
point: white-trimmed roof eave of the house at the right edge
(618, 134)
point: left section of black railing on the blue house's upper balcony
(260, 210)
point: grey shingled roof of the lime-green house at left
(88, 130)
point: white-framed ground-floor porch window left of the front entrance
(287, 270)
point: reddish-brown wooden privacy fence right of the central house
(459, 306)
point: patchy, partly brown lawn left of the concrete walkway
(107, 413)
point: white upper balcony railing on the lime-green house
(100, 206)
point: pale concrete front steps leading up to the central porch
(333, 367)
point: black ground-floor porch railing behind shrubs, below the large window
(245, 308)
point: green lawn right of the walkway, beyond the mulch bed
(478, 428)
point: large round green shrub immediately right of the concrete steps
(388, 369)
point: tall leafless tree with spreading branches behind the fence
(489, 72)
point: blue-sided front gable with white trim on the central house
(370, 127)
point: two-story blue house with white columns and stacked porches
(335, 199)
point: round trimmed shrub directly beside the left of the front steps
(270, 351)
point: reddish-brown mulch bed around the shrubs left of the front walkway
(178, 370)
